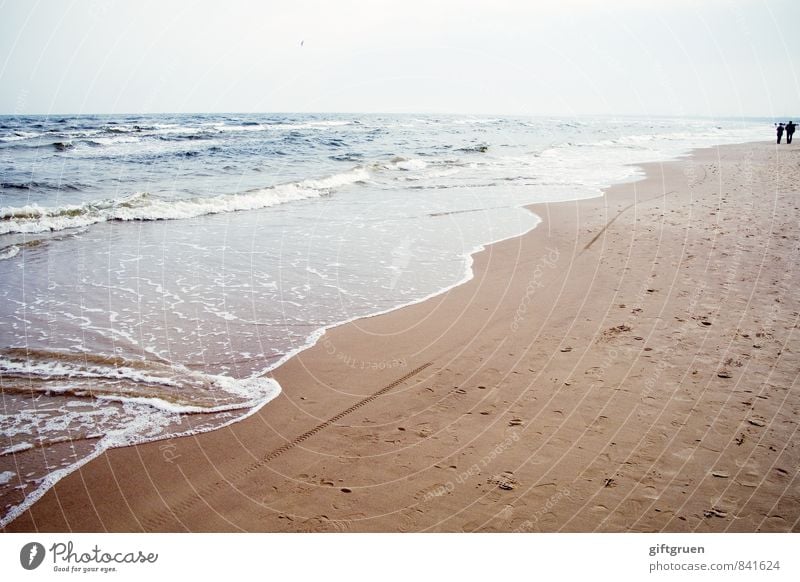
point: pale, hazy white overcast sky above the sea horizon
(715, 58)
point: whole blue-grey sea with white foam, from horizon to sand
(154, 268)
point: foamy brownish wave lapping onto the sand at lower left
(127, 412)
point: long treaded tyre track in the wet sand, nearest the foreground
(158, 520)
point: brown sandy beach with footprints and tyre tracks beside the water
(631, 364)
